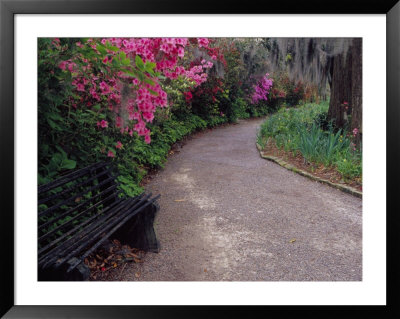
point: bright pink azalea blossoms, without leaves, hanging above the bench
(100, 87)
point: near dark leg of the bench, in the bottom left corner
(80, 273)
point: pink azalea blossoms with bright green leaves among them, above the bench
(103, 68)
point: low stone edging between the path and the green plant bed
(346, 189)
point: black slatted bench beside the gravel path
(79, 212)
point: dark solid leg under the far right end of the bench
(139, 232)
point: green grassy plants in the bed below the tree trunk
(301, 130)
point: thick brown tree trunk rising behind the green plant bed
(341, 89)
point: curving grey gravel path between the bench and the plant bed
(227, 214)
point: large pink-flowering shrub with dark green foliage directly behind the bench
(98, 96)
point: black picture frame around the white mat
(8, 8)
